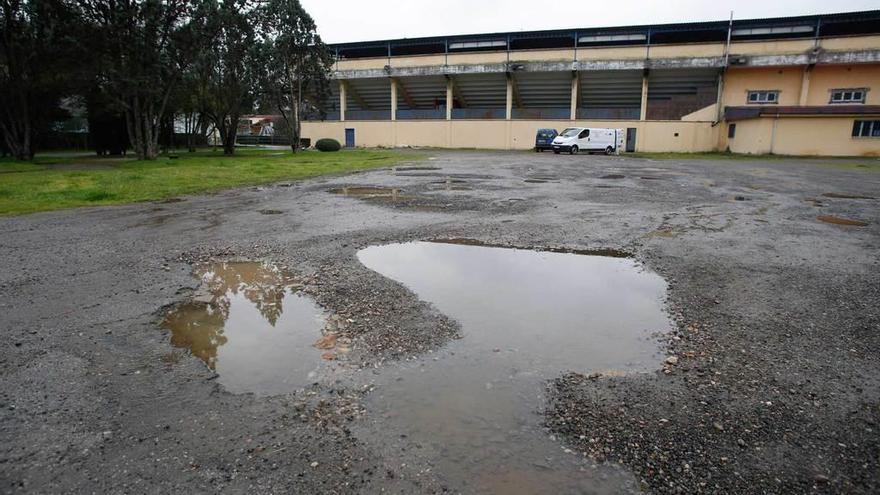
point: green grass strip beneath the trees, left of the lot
(56, 182)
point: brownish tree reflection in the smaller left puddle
(199, 327)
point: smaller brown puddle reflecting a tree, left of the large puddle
(249, 324)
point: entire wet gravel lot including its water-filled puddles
(426, 376)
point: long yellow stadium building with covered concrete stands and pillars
(795, 86)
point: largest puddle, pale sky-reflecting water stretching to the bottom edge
(472, 412)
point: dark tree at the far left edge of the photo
(34, 42)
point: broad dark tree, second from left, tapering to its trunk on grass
(142, 48)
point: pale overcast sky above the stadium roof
(365, 20)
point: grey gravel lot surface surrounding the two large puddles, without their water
(773, 385)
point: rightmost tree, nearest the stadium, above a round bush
(297, 63)
